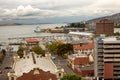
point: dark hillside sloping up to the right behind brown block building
(115, 18)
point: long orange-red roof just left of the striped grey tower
(84, 46)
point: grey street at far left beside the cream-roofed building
(7, 62)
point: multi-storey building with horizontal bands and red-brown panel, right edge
(107, 58)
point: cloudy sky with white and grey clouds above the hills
(56, 11)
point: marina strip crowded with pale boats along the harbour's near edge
(45, 38)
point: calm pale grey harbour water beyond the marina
(23, 31)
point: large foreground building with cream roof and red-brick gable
(35, 66)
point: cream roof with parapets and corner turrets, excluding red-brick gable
(31, 61)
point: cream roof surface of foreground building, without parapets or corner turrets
(25, 64)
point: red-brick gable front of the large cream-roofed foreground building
(37, 74)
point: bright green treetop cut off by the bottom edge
(71, 77)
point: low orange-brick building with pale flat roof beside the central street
(80, 64)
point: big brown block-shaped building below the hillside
(104, 26)
